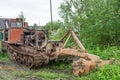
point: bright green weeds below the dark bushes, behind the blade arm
(106, 53)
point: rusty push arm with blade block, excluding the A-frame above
(85, 62)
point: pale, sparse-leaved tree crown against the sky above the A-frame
(72, 11)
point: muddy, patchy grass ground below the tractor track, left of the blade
(13, 71)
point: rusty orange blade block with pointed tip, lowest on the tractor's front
(82, 66)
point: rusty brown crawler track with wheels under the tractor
(27, 58)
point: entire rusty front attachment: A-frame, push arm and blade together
(86, 62)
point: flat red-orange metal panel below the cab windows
(15, 35)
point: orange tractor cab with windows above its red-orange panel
(15, 30)
